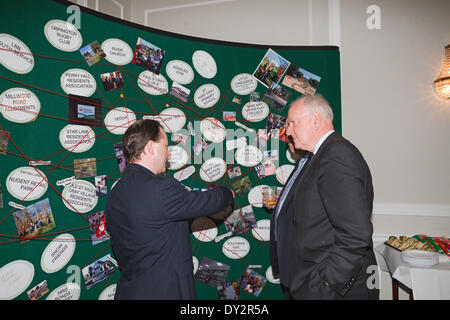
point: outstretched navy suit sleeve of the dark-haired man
(178, 203)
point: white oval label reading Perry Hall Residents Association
(78, 82)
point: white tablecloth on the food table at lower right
(427, 283)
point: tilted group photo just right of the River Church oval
(148, 56)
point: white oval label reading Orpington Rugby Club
(63, 35)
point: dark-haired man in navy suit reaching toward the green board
(147, 217)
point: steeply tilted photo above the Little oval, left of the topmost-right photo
(271, 68)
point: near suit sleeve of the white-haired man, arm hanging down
(345, 189)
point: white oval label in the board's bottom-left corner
(15, 277)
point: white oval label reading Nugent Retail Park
(26, 183)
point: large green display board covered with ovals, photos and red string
(59, 108)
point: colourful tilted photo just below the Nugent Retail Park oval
(34, 220)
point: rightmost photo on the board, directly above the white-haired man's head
(301, 80)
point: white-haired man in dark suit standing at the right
(333, 198)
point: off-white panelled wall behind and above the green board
(389, 108)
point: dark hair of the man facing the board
(137, 136)
